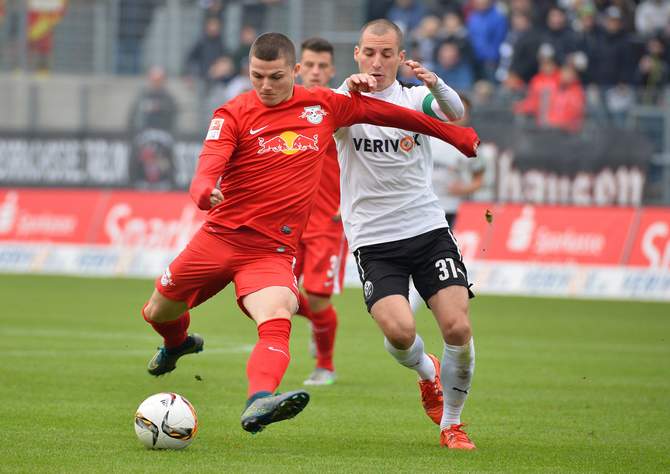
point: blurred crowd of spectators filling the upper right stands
(554, 60)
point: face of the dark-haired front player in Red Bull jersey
(272, 80)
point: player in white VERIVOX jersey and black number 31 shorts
(396, 228)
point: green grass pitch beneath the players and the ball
(560, 386)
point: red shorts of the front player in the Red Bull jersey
(211, 261)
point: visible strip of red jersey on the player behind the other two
(327, 201)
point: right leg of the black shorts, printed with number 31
(438, 264)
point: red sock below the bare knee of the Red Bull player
(269, 359)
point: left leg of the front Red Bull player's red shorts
(200, 271)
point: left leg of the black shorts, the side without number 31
(380, 274)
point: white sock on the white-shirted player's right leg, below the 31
(458, 365)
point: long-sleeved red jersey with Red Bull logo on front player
(269, 159)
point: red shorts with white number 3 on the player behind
(321, 261)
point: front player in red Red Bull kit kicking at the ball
(257, 176)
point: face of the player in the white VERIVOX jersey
(379, 56)
